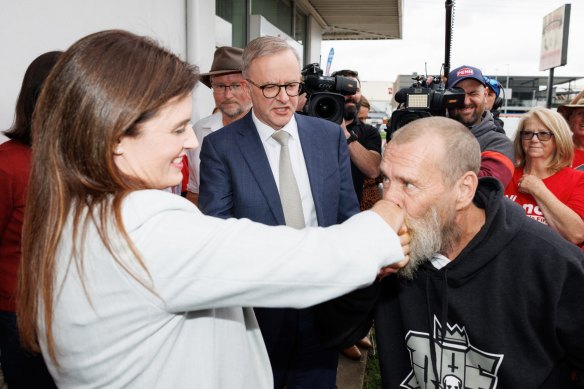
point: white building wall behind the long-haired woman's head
(29, 28)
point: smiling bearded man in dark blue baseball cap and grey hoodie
(496, 148)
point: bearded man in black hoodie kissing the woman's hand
(490, 298)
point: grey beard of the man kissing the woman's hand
(430, 235)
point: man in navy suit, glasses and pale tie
(241, 176)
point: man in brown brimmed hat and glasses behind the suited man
(231, 102)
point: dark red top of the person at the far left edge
(14, 172)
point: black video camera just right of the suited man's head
(325, 95)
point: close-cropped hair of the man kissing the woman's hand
(461, 149)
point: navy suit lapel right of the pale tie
(313, 157)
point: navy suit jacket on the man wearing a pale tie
(237, 181)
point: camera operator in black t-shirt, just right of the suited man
(364, 141)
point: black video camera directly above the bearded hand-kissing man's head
(423, 100)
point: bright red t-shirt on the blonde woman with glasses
(567, 185)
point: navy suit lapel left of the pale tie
(254, 154)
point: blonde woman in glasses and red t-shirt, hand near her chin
(549, 190)
